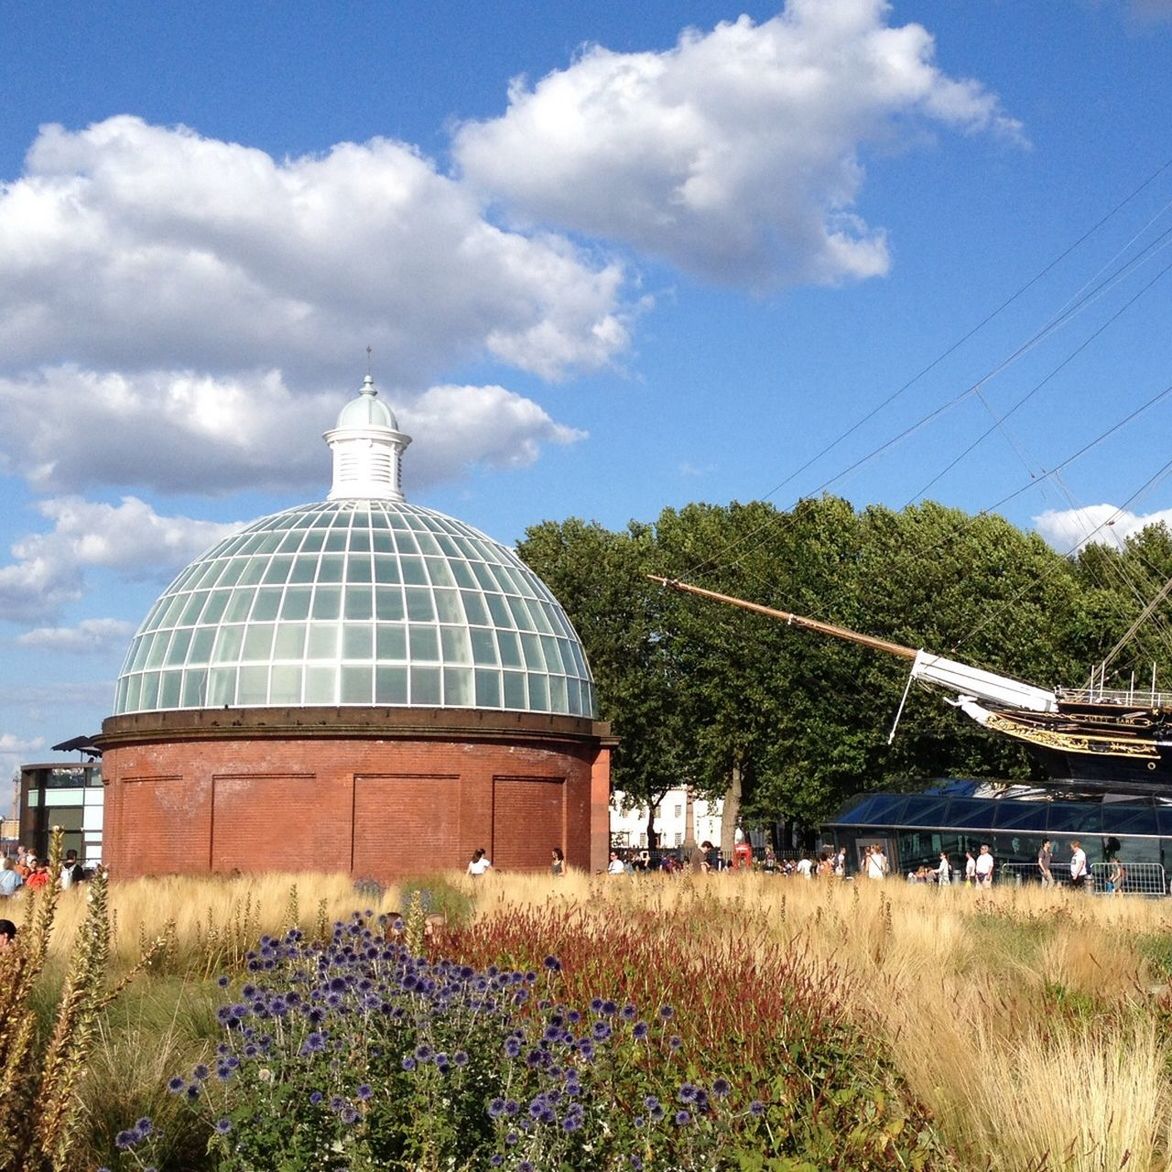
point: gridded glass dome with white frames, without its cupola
(358, 602)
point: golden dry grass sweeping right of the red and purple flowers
(1026, 1020)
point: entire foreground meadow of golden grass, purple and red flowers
(644, 1023)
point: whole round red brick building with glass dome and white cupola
(360, 685)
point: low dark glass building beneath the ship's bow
(960, 816)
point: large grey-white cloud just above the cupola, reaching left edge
(162, 250)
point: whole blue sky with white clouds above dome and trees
(608, 261)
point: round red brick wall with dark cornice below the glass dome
(379, 806)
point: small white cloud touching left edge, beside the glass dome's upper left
(130, 539)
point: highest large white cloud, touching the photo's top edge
(735, 155)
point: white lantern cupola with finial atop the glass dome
(369, 449)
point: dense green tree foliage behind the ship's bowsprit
(699, 692)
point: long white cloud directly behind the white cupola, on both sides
(186, 433)
